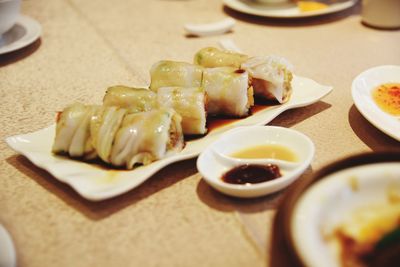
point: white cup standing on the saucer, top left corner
(9, 11)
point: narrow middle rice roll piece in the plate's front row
(103, 127)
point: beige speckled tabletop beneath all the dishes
(175, 218)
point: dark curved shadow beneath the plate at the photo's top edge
(293, 22)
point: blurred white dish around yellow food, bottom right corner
(337, 199)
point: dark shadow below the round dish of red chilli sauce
(369, 134)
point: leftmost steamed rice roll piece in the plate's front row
(73, 131)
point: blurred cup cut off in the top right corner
(381, 13)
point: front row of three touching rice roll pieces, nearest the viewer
(116, 136)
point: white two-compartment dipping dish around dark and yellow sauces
(214, 161)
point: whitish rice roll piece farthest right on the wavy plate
(271, 77)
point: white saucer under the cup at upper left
(25, 31)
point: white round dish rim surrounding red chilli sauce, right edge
(361, 89)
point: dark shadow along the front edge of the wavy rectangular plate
(103, 209)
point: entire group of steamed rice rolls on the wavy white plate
(141, 125)
